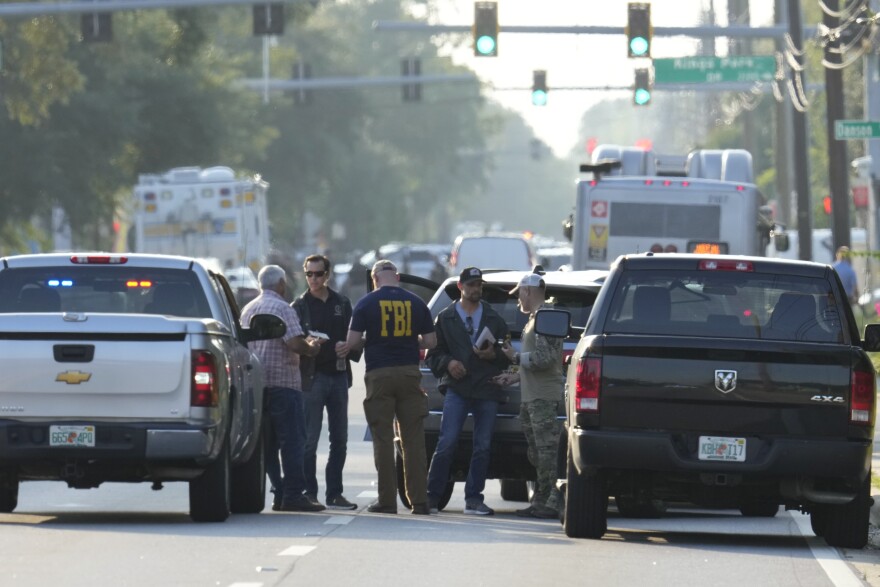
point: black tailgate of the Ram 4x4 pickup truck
(776, 388)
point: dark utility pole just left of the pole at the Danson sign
(799, 148)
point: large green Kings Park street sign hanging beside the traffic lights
(702, 70)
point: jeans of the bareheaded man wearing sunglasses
(330, 391)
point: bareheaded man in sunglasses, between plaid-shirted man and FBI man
(326, 378)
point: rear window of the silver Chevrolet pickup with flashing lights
(123, 290)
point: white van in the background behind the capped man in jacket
(491, 251)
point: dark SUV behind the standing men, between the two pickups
(573, 291)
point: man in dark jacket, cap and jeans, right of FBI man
(465, 373)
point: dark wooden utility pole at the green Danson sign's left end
(837, 163)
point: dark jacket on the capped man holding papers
(453, 342)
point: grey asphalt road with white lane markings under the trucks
(130, 535)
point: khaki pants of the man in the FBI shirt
(396, 392)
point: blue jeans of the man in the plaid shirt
(288, 437)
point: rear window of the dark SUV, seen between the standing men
(578, 303)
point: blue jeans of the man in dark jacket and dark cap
(455, 411)
